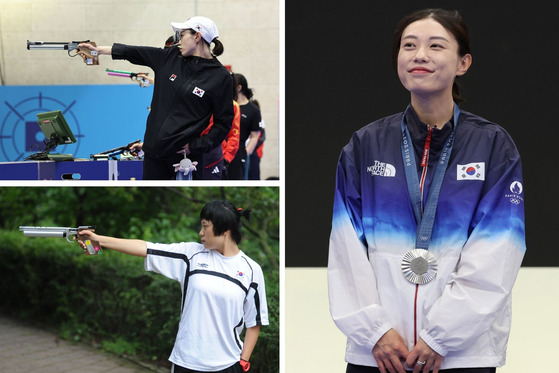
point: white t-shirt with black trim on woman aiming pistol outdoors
(220, 296)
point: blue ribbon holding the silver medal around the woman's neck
(425, 217)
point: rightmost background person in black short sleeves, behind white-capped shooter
(251, 121)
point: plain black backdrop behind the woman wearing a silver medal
(339, 78)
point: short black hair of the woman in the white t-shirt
(225, 217)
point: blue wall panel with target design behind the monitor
(122, 120)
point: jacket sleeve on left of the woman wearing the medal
(354, 303)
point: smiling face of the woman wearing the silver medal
(428, 59)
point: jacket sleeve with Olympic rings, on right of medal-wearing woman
(481, 286)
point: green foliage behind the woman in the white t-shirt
(109, 299)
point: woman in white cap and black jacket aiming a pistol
(191, 85)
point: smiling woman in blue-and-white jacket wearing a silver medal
(424, 254)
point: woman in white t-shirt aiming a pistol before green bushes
(223, 290)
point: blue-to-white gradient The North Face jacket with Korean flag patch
(464, 314)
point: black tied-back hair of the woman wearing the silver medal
(451, 20)
